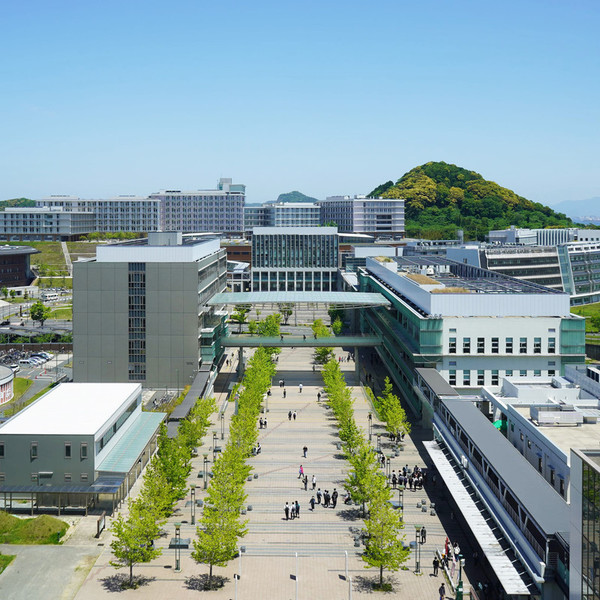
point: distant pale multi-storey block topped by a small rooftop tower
(220, 210)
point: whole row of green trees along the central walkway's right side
(365, 482)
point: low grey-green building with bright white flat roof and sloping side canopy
(78, 441)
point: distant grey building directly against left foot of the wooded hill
(375, 216)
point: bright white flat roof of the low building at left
(72, 409)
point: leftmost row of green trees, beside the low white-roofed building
(164, 483)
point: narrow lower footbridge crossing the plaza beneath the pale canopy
(297, 341)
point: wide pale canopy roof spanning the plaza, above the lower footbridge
(301, 299)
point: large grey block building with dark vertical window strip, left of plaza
(140, 314)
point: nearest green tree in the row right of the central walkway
(384, 548)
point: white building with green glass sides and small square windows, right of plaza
(473, 325)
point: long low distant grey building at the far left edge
(44, 224)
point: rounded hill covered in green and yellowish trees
(441, 198)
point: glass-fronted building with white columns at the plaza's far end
(300, 259)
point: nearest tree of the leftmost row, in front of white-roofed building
(134, 537)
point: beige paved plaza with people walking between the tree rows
(321, 539)
